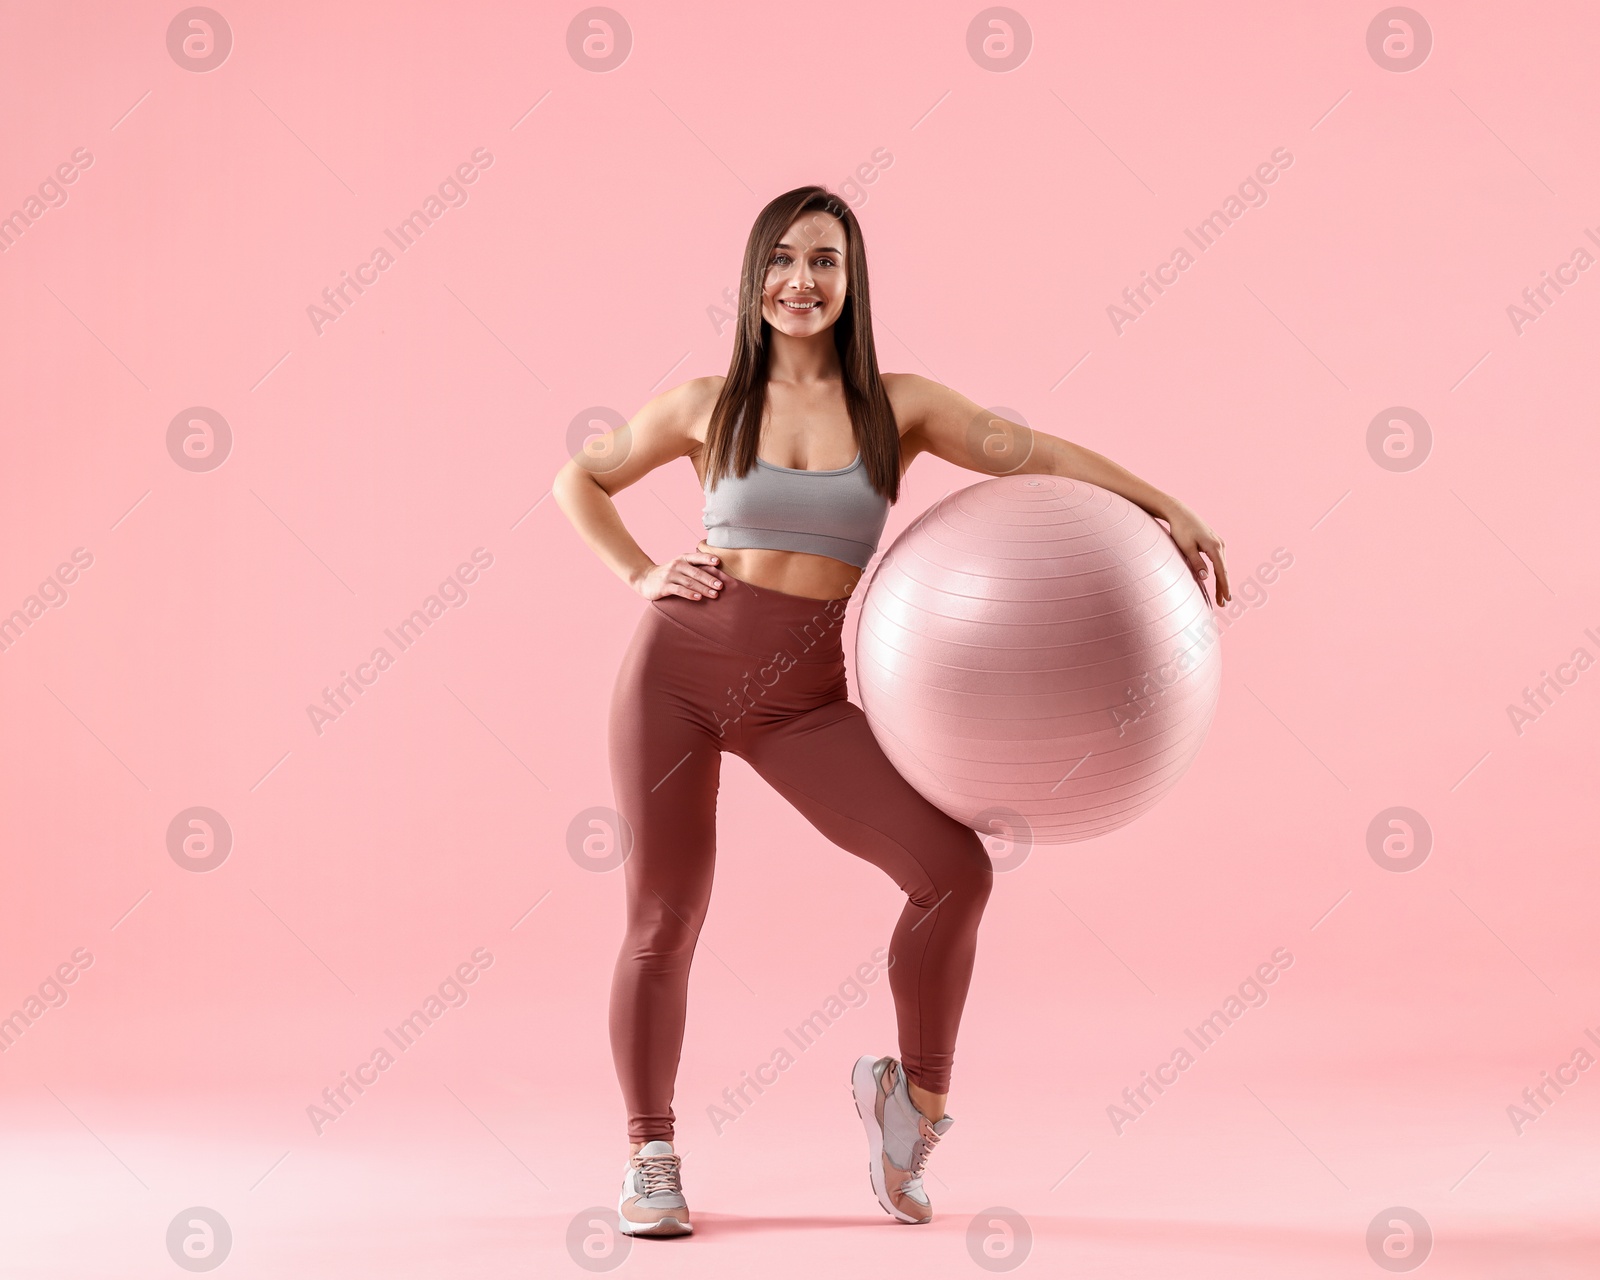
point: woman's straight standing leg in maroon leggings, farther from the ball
(666, 761)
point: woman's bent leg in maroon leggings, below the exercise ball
(826, 762)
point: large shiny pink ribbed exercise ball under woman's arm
(1038, 644)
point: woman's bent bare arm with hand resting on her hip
(609, 465)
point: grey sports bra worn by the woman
(826, 513)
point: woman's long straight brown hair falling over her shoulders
(743, 396)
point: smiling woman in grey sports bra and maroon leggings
(742, 652)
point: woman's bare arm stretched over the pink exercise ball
(950, 426)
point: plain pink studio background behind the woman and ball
(433, 817)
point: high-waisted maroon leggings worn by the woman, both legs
(762, 674)
